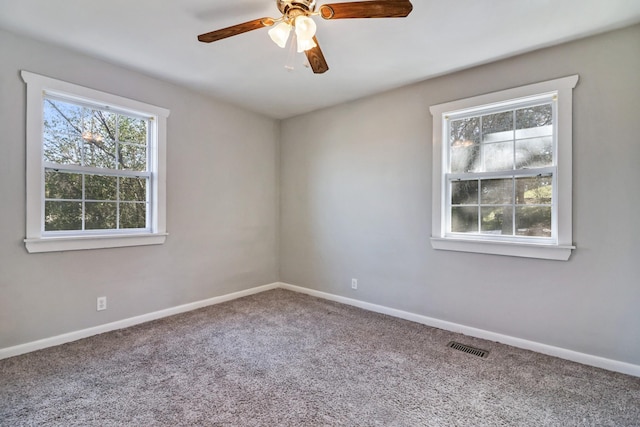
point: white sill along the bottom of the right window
(552, 252)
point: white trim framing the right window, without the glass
(561, 250)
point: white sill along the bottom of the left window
(75, 243)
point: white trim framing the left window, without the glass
(35, 240)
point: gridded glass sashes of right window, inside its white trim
(501, 171)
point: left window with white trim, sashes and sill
(95, 168)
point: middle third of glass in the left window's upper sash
(99, 130)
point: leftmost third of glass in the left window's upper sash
(62, 142)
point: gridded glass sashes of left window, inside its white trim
(95, 168)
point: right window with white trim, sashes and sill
(502, 172)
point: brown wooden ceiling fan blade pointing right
(367, 9)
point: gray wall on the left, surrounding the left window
(221, 207)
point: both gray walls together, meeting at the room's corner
(355, 201)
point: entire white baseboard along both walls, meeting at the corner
(586, 359)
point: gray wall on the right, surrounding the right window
(356, 203)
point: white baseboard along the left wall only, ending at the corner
(84, 333)
